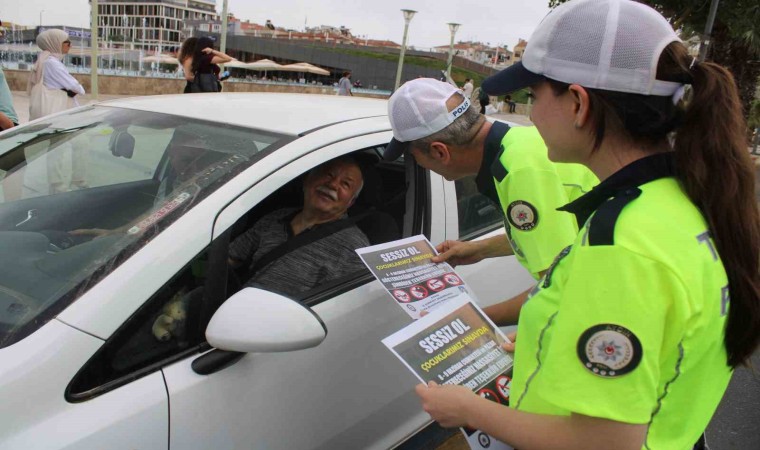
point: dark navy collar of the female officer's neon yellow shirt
(635, 174)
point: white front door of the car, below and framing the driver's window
(348, 392)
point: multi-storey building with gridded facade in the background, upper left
(151, 24)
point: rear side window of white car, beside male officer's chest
(477, 213)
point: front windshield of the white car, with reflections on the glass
(80, 192)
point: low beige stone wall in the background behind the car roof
(120, 85)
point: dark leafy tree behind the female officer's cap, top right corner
(735, 40)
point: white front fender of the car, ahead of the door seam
(35, 414)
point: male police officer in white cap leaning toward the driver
(433, 121)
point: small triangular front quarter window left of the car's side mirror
(167, 325)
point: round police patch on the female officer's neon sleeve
(609, 350)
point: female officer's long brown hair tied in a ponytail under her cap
(713, 165)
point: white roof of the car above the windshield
(278, 112)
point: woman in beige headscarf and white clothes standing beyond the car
(50, 84)
